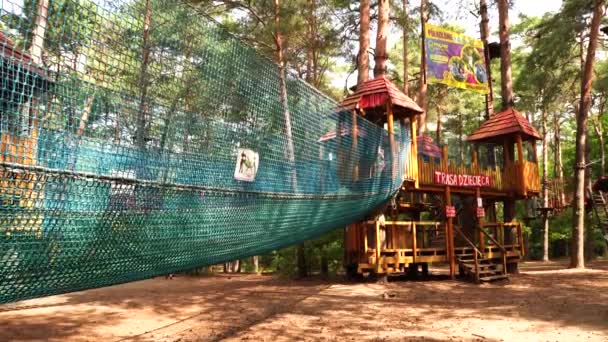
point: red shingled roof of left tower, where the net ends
(375, 93)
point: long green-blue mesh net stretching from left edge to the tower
(120, 143)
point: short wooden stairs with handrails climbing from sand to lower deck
(477, 267)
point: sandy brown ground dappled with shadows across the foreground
(542, 303)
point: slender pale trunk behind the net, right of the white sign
(283, 91)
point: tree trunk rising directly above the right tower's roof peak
(506, 85)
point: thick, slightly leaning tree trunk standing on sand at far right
(577, 257)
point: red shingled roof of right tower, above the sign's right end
(509, 122)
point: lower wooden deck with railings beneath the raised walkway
(391, 247)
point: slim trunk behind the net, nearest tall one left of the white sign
(143, 102)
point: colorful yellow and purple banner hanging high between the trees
(455, 60)
